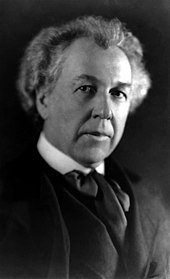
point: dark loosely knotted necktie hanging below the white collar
(110, 201)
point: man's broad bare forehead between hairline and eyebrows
(86, 57)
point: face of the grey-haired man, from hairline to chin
(85, 115)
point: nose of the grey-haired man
(102, 108)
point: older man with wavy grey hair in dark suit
(67, 210)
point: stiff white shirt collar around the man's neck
(60, 161)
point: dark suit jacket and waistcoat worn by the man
(46, 231)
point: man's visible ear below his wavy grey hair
(42, 104)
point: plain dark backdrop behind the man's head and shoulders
(145, 146)
